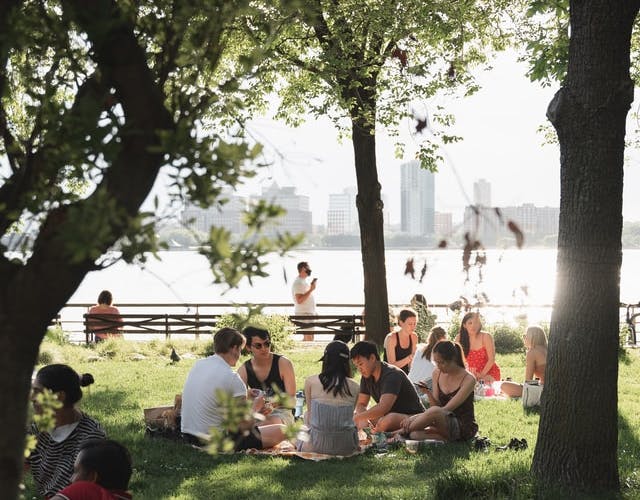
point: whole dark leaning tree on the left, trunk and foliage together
(97, 99)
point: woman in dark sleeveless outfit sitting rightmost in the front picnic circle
(451, 415)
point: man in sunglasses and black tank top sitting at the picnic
(268, 372)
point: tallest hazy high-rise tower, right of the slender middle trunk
(417, 198)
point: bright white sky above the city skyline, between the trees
(501, 144)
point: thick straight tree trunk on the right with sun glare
(577, 435)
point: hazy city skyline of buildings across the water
(483, 221)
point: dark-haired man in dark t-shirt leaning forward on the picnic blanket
(394, 394)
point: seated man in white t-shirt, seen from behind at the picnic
(201, 409)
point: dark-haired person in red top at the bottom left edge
(102, 471)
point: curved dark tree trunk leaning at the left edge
(31, 294)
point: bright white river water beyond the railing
(510, 277)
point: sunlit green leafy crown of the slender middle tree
(332, 58)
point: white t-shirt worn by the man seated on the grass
(200, 407)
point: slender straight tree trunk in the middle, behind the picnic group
(370, 216)
